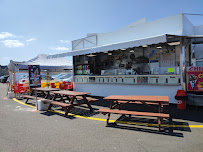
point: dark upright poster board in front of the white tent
(34, 76)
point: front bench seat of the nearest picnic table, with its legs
(159, 116)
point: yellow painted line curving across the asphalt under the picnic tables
(123, 122)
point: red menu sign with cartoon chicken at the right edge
(194, 79)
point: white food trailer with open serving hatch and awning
(144, 58)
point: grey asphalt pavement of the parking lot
(24, 129)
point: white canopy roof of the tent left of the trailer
(57, 63)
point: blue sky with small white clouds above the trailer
(32, 27)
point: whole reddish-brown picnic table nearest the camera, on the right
(117, 100)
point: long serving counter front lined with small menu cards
(130, 79)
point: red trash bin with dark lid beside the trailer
(181, 98)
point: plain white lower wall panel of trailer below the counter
(104, 90)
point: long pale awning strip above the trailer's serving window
(128, 44)
